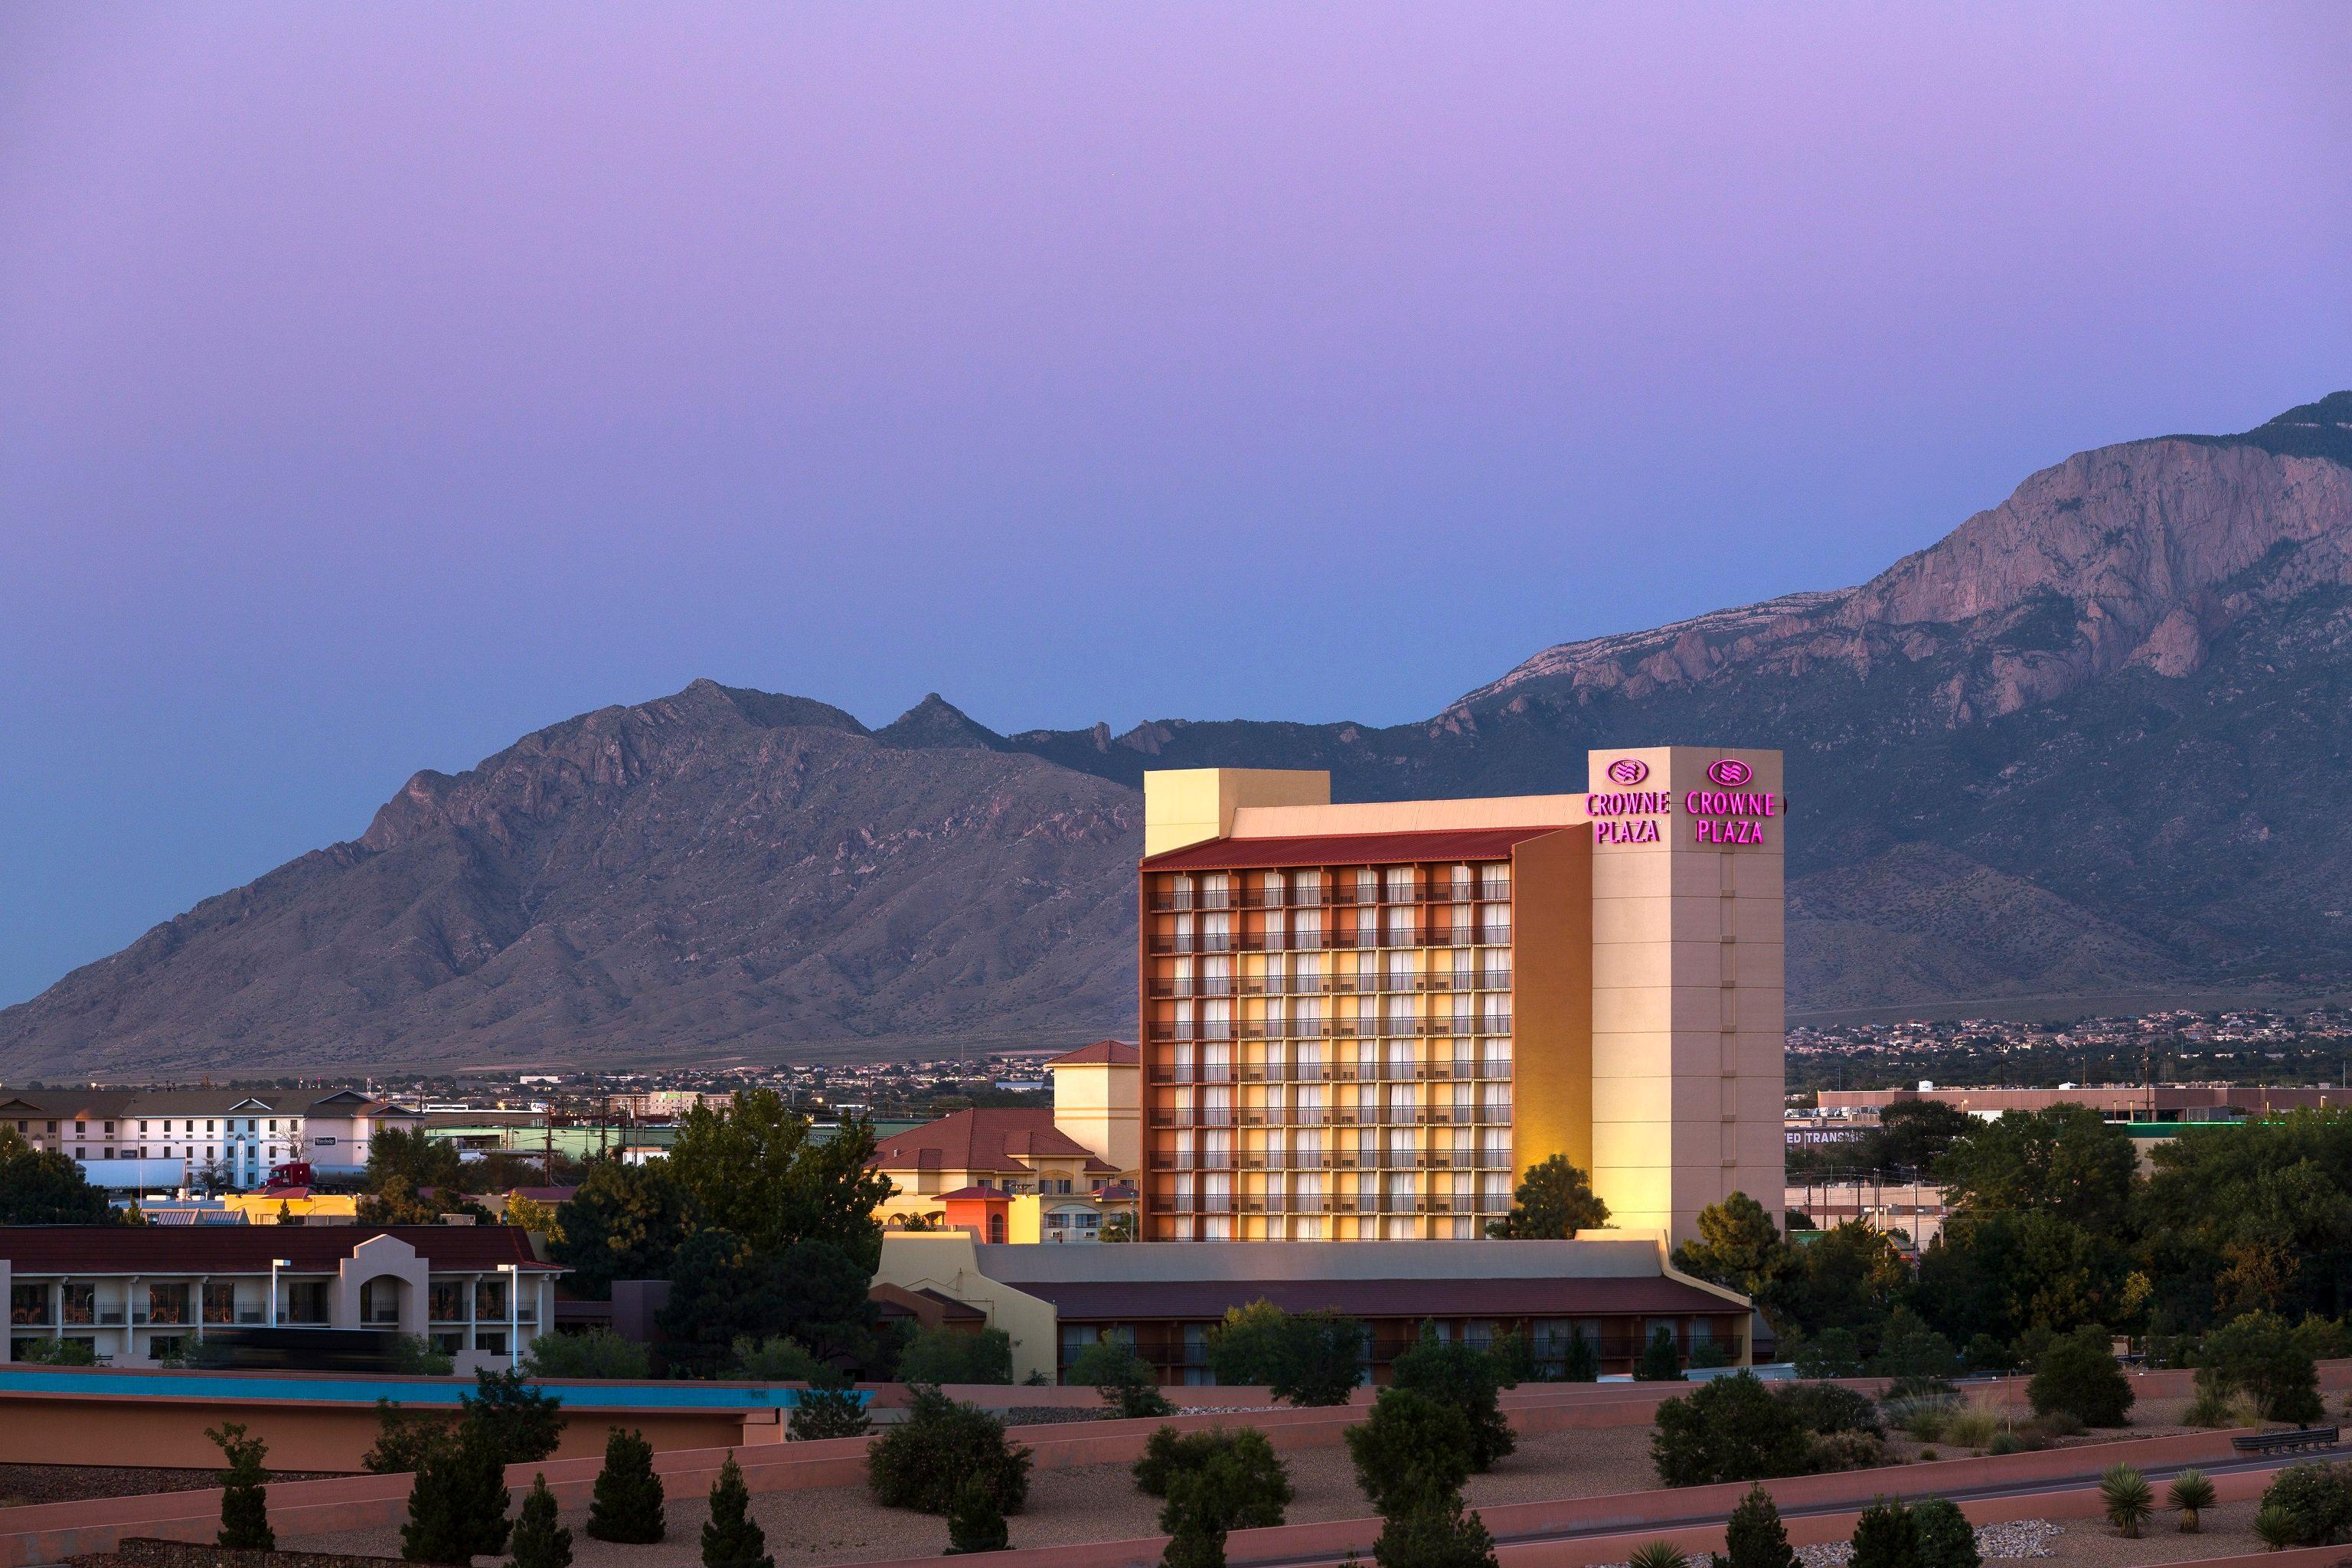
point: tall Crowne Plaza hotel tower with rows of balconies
(1368, 1021)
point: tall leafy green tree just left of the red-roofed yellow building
(756, 1170)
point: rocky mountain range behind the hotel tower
(2087, 749)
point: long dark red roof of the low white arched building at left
(248, 1249)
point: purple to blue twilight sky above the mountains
(385, 382)
